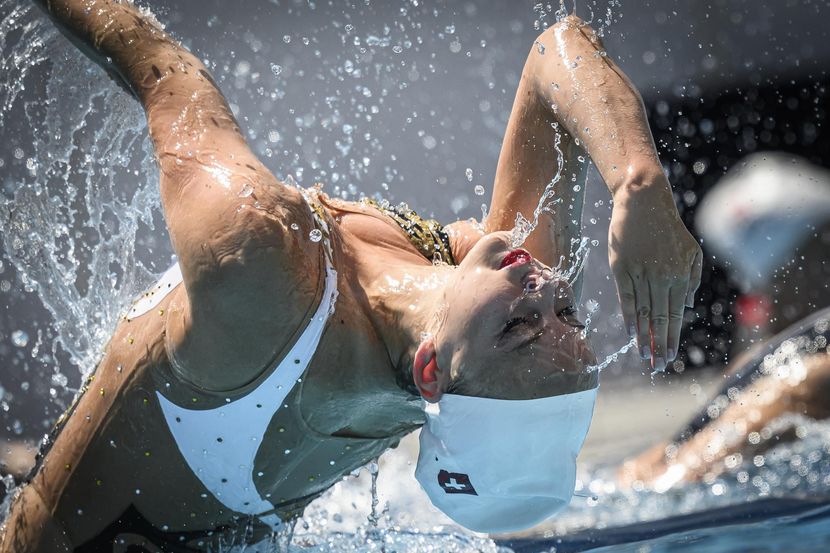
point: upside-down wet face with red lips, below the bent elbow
(510, 329)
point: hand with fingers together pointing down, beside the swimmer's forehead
(657, 265)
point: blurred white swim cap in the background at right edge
(760, 211)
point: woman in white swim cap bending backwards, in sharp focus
(299, 335)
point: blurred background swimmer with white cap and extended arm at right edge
(768, 221)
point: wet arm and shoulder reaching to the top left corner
(229, 219)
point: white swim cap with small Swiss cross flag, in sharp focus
(495, 465)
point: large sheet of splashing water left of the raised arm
(69, 230)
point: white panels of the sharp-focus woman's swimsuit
(220, 444)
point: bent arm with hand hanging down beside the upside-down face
(571, 87)
